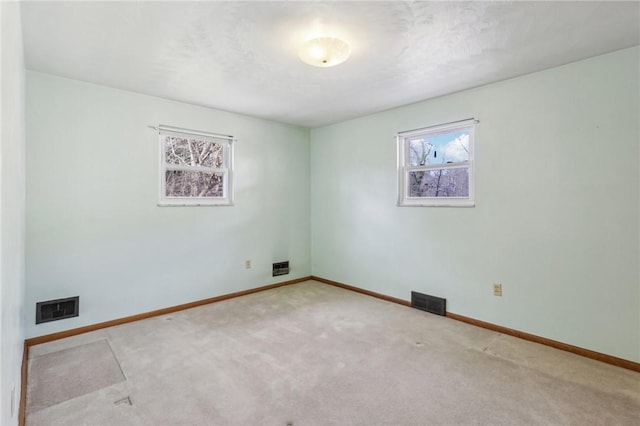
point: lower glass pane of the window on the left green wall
(180, 183)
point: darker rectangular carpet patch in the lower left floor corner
(69, 373)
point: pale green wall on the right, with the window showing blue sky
(557, 206)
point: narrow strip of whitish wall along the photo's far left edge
(12, 208)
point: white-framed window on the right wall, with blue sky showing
(435, 165)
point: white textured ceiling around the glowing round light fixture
(242, 56)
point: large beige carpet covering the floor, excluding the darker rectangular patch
(313, 354)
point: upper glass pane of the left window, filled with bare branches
(192, 152)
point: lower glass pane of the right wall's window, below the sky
(439, 183)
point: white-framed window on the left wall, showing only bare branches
(196, 168)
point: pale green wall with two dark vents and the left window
(93, 225)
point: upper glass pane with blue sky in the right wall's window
(451, 147)
